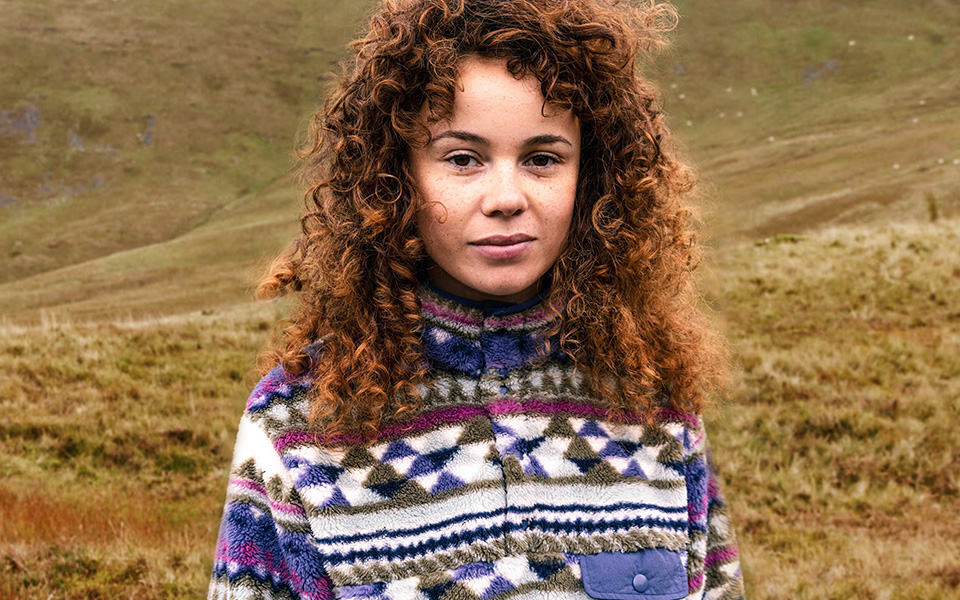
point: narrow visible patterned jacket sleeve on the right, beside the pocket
(713, 563)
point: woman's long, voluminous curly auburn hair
(626, 264)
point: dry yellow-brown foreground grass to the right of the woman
(840, 447)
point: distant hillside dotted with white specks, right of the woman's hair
(805, 114)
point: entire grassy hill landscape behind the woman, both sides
(146, 159)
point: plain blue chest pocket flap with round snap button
(650, 574)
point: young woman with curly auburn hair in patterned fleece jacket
(491, 388)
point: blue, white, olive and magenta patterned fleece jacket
(510, 482)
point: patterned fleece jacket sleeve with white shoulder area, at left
(265, 548)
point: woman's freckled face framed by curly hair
(498, 179)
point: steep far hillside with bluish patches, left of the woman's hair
(125, 124)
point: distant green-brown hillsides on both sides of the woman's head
(136, 143)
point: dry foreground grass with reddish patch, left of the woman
(114, 452)
